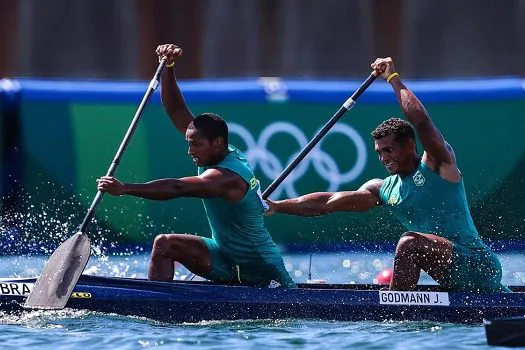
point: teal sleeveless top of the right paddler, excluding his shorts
(425, 202)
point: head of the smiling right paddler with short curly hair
(395, 144)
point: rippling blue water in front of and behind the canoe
(68, 329)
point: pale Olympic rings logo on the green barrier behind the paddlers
(259, 155)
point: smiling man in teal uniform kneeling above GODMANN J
(426, 194)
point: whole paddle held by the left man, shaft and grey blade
(61, 273)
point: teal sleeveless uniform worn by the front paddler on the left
(241, 247)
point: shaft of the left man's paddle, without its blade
(124, 144)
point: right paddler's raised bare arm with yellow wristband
(439, 155)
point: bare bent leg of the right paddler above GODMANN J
(417, 251)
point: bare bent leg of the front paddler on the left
(190, 251)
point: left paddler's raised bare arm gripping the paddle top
(171, 96)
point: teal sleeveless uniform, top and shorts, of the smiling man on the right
(427, 203)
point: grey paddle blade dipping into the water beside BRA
(60, 275)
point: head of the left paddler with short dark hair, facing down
(207, 137)
